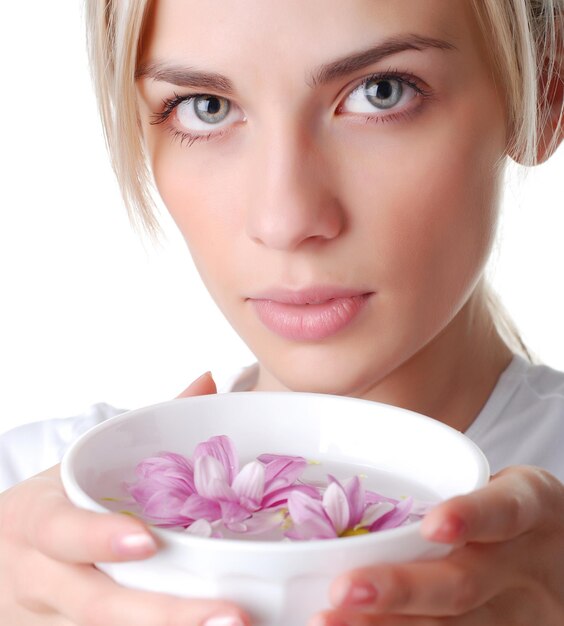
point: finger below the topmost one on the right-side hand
(451, 586)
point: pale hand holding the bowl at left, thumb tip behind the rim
(48, 546)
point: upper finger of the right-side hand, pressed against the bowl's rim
(514, 502)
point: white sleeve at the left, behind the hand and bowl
(29, 449)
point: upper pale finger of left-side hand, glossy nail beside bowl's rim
(42, 516)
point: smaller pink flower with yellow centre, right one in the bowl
(342, 512)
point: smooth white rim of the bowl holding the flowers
(174, 537)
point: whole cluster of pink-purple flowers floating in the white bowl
(212, 496)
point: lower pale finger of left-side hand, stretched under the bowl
(96, 600)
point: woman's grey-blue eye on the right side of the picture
(380, 93)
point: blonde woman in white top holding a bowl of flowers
(336, 172)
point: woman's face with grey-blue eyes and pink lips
(333, 167)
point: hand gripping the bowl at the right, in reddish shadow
(507, 567)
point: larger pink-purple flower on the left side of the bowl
(211, 489)
